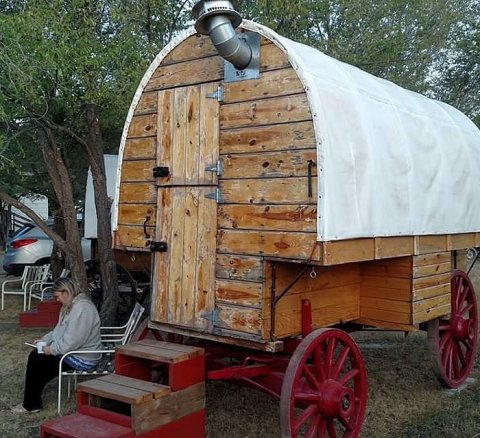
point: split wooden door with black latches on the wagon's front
(187, 142)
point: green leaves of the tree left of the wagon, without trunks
(57, 57)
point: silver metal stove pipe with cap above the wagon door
(219, 19)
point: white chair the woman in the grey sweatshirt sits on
(110, 337)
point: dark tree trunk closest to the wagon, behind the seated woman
(108, 268)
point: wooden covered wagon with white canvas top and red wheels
(287, 197)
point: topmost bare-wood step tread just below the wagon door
(166, 352)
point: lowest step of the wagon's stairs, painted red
(83, 426)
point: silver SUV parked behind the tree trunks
(31, 246)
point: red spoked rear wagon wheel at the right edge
(453, 341)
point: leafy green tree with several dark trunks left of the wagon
(69, 70)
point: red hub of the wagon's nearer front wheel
(336, 400)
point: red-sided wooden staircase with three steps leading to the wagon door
(158, 390)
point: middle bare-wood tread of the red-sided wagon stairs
(124, 389)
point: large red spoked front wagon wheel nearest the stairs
(324, 392)
